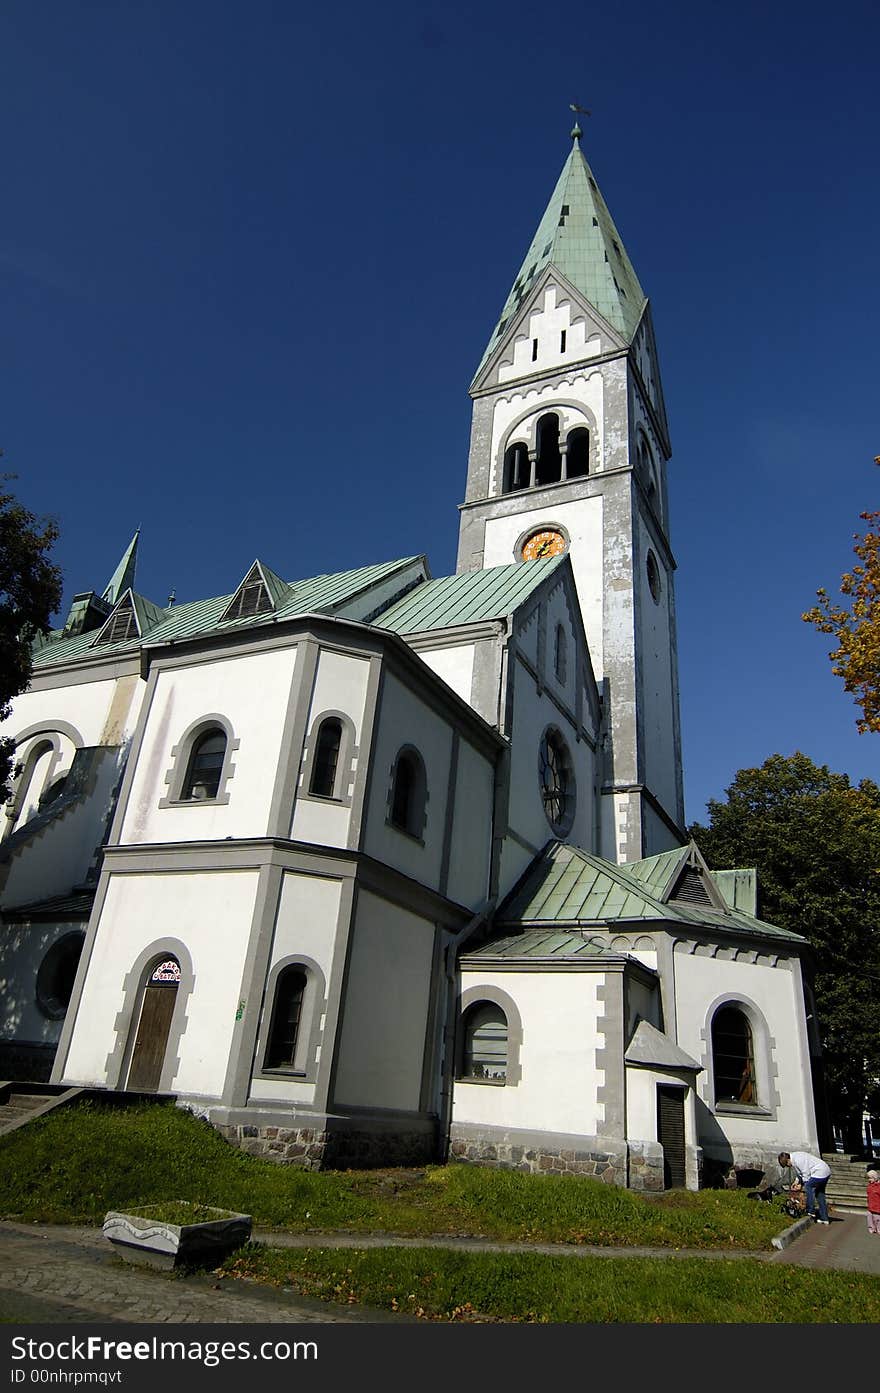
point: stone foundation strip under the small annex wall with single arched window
(542, 1155)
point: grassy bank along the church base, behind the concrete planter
(77, 1164)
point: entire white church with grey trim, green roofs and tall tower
(379, 869)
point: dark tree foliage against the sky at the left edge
(30, 593)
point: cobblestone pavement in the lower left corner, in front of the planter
(70, 1275)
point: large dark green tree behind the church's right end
(815, 841)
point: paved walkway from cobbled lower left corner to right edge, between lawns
(58, 1274)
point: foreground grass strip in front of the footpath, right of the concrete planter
(446, 1285)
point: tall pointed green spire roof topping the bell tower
(577, 235)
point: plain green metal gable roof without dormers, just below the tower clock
(470, 598)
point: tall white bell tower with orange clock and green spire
(569, 452)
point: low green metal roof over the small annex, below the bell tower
(570, 887)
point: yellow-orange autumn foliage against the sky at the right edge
(857, 625)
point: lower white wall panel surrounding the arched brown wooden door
(211, 913)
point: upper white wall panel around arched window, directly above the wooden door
(253, 693)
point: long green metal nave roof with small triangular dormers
(320, 594)
